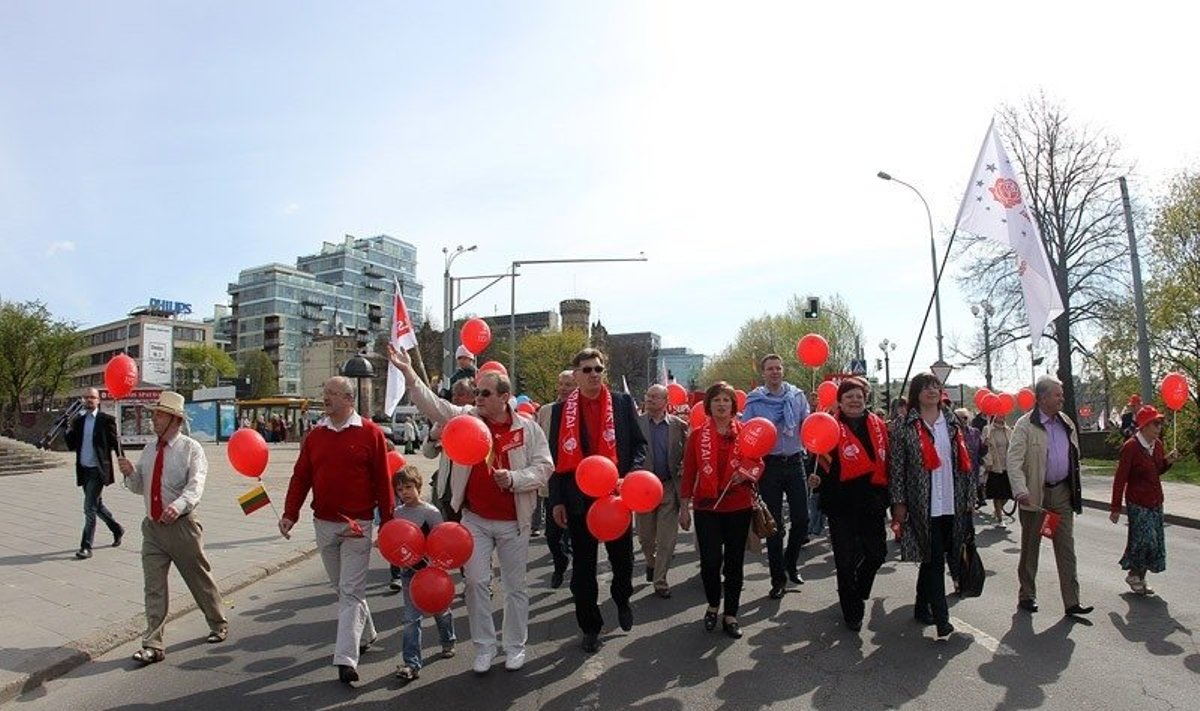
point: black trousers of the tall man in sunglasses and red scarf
(585, 552)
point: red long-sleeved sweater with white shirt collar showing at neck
(347, 474)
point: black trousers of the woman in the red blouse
(722, 541)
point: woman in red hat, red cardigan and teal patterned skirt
(1139, 481)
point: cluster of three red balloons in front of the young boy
(449, 546)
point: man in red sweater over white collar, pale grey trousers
(344, 462)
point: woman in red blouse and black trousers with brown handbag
(718, 483)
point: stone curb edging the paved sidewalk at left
(56, 664)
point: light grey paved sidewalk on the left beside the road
(58, 613)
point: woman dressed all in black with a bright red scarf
(854, 486)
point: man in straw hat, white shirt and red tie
(171, 475)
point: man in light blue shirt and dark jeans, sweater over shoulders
(787, 407)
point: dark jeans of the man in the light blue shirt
(785, 477)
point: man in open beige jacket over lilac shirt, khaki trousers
(1043, 470)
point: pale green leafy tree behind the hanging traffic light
(779, 333)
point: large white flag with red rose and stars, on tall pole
(994, 207)
